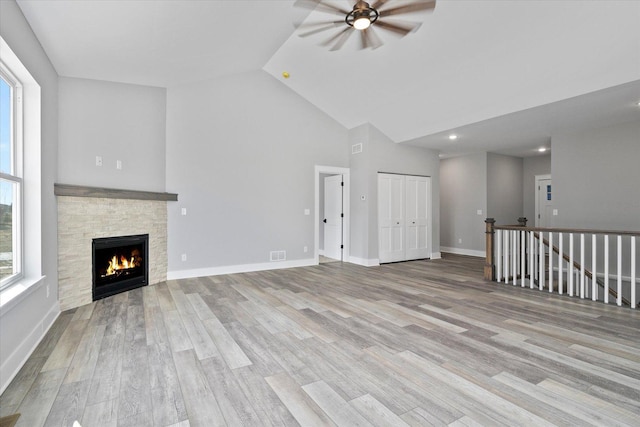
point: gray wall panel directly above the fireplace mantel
(118, 122)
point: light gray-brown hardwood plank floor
(417, 343)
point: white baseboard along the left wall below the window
(12, 364)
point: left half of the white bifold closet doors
(391, 218)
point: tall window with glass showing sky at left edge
(10, 178)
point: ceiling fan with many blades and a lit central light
(362, 19)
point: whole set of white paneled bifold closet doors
(403, 217)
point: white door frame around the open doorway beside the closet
(331, 170)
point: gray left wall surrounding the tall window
(26, 318)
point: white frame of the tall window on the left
(16, 174)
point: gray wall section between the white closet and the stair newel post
(463, 191)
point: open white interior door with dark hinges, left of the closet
(333, 217)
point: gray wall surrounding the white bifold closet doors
(380, 154)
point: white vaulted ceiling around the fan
(505, 76)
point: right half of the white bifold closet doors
(417, 208)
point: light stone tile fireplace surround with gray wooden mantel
(86, 213)
